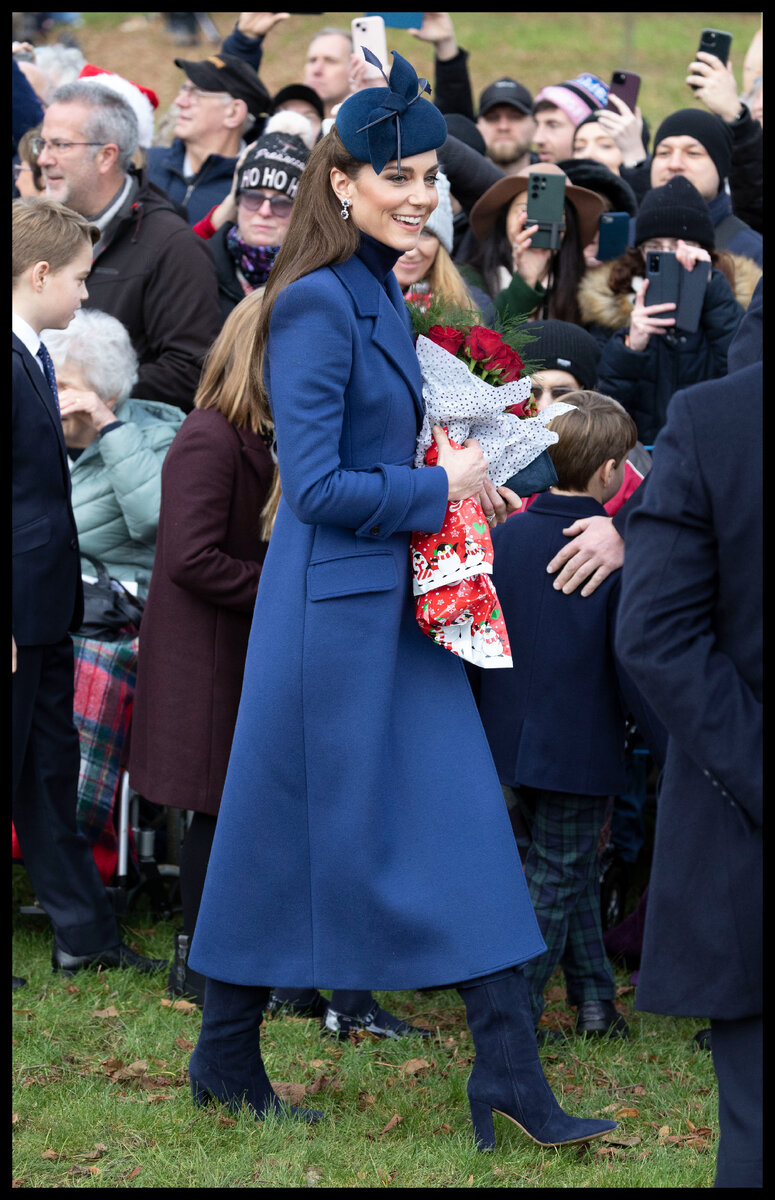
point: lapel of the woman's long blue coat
(392, 333)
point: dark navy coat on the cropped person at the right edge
(690, 634)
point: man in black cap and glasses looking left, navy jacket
(220, 103)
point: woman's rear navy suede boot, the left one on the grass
(226, 1065)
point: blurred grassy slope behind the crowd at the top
(538, 49)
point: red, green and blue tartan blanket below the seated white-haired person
(105, 676)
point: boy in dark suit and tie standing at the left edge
(52, 260)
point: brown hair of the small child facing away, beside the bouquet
(599, 429)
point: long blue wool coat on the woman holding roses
(363, 841)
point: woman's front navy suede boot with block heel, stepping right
(508, 1076)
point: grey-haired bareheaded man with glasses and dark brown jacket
(151, 271)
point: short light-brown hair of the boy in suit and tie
(47, 232)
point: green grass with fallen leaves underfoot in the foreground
(101, 1095)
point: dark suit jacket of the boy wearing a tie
(47, 593)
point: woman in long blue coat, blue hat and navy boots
(362, 825)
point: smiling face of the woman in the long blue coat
(390, 207)
